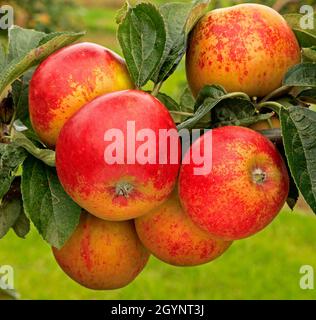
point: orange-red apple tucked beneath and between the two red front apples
(170, 235)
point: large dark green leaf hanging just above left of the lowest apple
(46, 203)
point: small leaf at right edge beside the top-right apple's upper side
(306, 37)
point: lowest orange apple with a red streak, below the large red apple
(102, 255)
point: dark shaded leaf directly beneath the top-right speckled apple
(237, 112)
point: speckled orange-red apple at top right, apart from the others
(248, 48)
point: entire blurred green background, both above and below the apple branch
(265, 266)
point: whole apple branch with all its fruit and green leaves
(251, 77)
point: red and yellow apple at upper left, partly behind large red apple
(67, 80)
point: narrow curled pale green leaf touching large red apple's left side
(45, 155)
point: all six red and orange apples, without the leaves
(132, 210)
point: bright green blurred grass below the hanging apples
(265, 266)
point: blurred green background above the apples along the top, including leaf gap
(97, 17)
